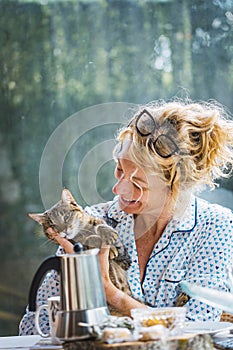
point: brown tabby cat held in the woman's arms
(69, 220)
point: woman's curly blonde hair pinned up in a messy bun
(202, 136)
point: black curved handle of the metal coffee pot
(51, 263)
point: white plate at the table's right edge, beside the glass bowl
(207, 327)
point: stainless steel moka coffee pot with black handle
(83, 304)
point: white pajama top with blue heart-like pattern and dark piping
(195, 248)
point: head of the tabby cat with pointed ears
(61, 217)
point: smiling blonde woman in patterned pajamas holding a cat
(167, 153)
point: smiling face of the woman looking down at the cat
(137, 191)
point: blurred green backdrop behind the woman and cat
(60, 57)
